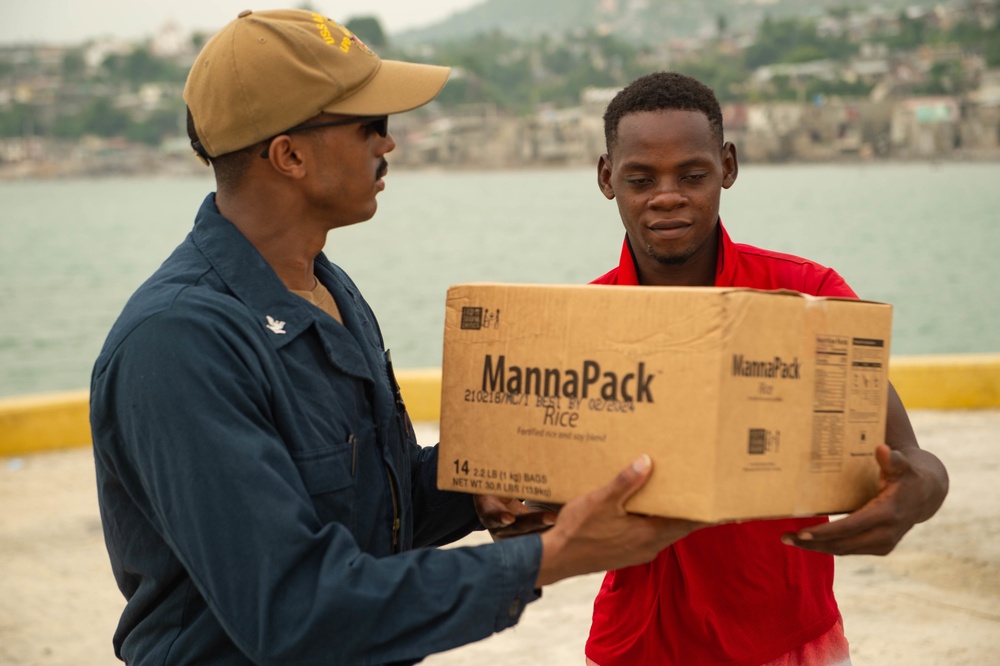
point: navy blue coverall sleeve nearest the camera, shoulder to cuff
(181, 418)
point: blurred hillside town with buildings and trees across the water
(109, 107)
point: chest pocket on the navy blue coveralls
(329, 477)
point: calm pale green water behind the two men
(923, 237)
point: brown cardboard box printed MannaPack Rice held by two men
(751, 404)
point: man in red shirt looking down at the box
(759, 592)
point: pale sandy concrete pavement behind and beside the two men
(935, 600)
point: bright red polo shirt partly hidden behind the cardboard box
(731, 594)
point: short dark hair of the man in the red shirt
(662, 91)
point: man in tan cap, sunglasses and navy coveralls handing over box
(262, 494)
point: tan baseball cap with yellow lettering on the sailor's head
(268, 71)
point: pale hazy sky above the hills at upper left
(74, 21)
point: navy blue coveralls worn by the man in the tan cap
(263, 497)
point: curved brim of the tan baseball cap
(396, 87)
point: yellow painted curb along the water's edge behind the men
(47, 421)
